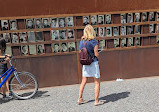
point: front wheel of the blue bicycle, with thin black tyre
(27, 89)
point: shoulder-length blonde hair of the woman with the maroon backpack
(89, 33)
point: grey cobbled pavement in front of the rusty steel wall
(136, 95)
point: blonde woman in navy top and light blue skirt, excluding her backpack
(91, 70)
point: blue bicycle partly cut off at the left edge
(22, 85)
